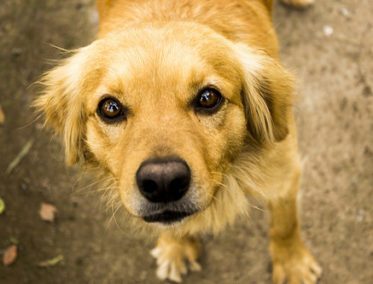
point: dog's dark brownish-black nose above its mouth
(163, 179)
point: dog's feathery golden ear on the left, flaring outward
(62, 106)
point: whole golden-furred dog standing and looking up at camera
(186, 108)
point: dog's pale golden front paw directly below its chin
(175, 255)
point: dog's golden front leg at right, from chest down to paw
(292, 262)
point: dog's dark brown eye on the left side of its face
(111, 110)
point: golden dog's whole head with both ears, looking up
(166, 113)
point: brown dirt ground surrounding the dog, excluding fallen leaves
(328, 47)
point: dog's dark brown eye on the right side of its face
(208, 100)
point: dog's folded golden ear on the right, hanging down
(267, 95)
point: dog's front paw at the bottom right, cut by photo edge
(294, 266)
